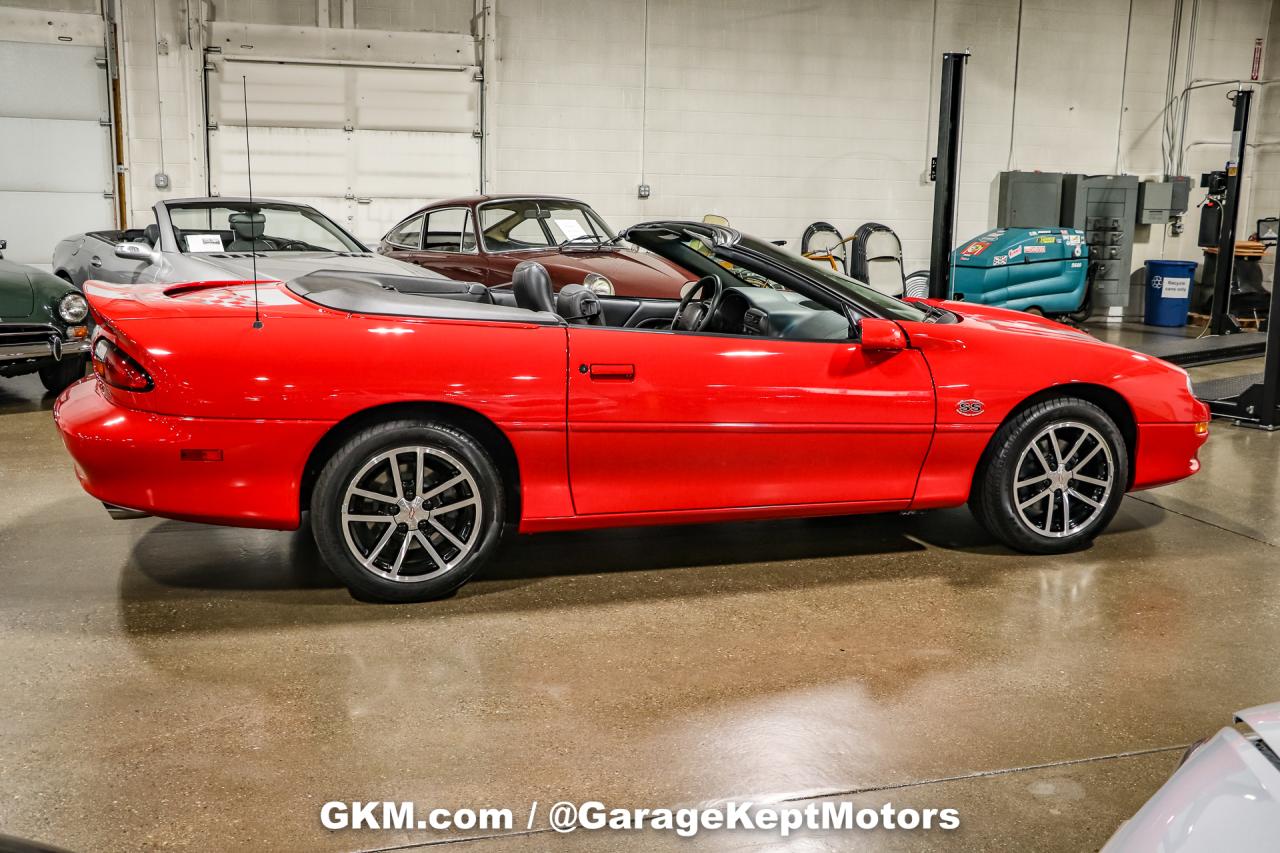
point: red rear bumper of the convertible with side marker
(134, 459)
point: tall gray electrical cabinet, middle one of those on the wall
(1105, 207)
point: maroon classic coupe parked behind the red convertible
(483, 239)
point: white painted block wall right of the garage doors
(779, 113)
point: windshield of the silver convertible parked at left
(203, 227)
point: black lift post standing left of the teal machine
(947, 174)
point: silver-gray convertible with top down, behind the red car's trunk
(203, 240)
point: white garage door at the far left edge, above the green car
(57, 162)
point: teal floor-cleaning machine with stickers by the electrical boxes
(1045, 271)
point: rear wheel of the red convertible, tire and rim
(392, 549)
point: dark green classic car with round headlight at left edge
(44, 326)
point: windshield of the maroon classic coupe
(541, 223)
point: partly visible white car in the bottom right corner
(1224, 797)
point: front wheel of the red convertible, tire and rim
(1076, 510)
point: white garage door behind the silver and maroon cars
(365, 145)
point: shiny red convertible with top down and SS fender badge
(420, 419)
